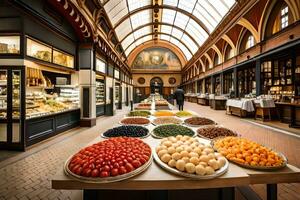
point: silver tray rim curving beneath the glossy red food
(107, 179)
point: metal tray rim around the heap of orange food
(256, 167)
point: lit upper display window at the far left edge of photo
(10, 44)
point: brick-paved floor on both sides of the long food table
(27, 175)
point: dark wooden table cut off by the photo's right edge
(289, 113)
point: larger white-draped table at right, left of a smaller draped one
(240, 107)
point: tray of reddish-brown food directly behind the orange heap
(212, 132)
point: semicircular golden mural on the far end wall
(157, 58)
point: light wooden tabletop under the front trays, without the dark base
(155, 177)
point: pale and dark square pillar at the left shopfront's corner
(87, 84)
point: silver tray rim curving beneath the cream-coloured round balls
(165, 166)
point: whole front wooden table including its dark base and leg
(156, 183)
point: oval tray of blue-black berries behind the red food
(128, 131)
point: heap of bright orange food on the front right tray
(248, 153)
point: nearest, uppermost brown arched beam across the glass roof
(163, 7)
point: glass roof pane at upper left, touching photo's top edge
(116, 10)
